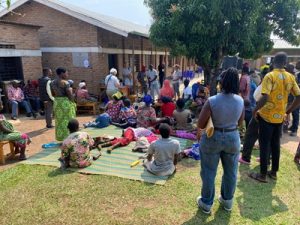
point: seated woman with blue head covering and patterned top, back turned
(146, 116)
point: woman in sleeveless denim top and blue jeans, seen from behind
(227, 112)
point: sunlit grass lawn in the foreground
(45, 195)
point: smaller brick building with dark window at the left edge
(20, 54)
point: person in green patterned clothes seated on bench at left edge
(8, 133)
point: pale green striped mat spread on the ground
(115, 164)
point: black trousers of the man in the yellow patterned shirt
(269, 143)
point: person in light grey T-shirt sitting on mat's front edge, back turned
(163, 154)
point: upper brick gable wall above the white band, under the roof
(58, 29)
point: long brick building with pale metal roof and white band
(86, 43)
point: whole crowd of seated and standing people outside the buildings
(262, 102)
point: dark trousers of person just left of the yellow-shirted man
(251, 137)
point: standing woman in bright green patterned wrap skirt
(64, 105)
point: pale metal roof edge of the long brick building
(112, 24)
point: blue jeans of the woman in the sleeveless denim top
(224, 146)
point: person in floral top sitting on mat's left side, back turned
(75, 149)
